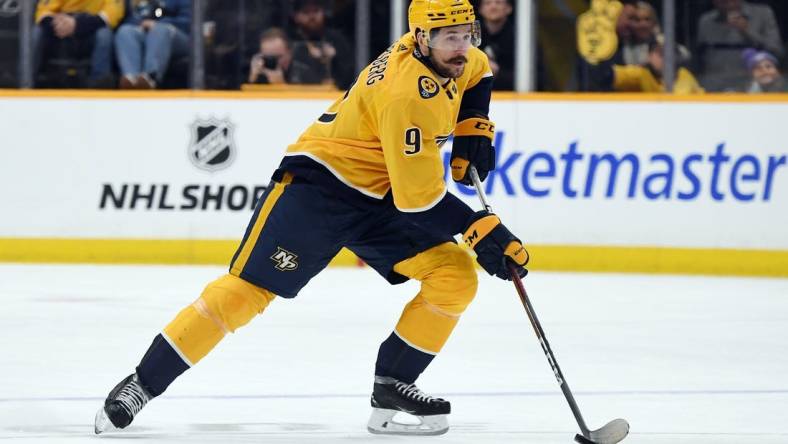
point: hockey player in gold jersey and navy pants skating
(366, 175)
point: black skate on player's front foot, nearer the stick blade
(390, 396)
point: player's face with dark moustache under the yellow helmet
(449, 49)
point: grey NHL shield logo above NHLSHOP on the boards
(212, 147)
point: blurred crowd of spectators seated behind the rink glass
(735, 45)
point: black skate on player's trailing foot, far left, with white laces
(122, 404)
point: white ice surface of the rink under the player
(683, 359)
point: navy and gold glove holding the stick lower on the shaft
(494, 244)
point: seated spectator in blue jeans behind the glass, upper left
(152, 34)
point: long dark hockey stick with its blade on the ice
(614, 431)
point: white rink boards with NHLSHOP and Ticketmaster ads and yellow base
(591, 183)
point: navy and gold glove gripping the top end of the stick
(472, 145)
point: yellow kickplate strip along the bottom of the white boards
(723, 262)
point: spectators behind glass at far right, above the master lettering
(738, 49)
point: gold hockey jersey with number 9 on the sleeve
(387, 131)
